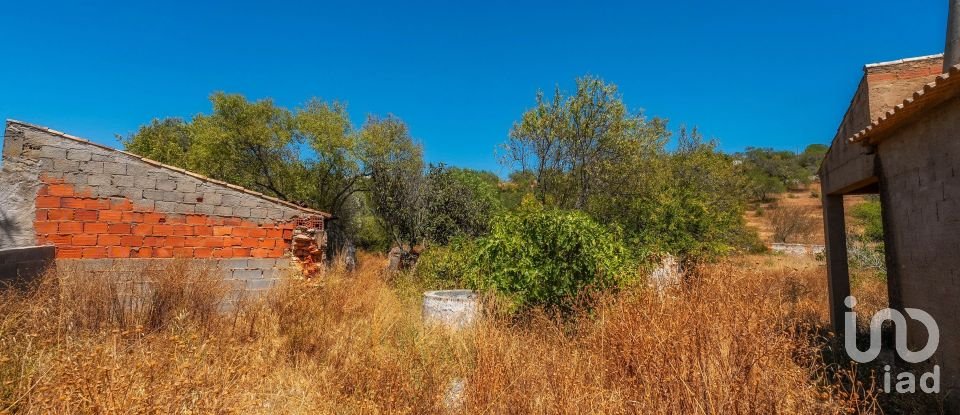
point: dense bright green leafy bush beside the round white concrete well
(549, 258)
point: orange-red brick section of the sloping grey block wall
(81, 226)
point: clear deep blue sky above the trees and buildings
(766, 73)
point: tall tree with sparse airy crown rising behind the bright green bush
(576, 146)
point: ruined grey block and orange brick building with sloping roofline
(107, 208)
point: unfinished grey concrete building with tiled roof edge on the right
(900, 138)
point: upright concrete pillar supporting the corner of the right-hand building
(838, 273)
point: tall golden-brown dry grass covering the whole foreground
(740, 338)
